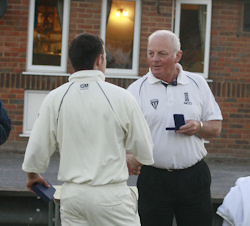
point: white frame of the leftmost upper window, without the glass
(65, 32)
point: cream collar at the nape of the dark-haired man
(87, 75)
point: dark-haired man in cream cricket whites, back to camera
(92, 123)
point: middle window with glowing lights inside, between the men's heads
(120, 30)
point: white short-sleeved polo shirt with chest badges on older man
(191, 97)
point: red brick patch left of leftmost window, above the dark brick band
(13, 38)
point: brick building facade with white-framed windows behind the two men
(215, 37)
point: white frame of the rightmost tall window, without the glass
(208, 3)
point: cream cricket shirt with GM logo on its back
(92, 123)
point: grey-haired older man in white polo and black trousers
(178, 183)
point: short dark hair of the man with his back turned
(83, 51)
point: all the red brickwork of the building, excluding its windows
(229, 64)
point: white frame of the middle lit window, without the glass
(125, 73)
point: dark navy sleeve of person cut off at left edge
(5, 124)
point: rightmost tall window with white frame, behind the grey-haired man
(192, 25)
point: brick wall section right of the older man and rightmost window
(230, 71)
